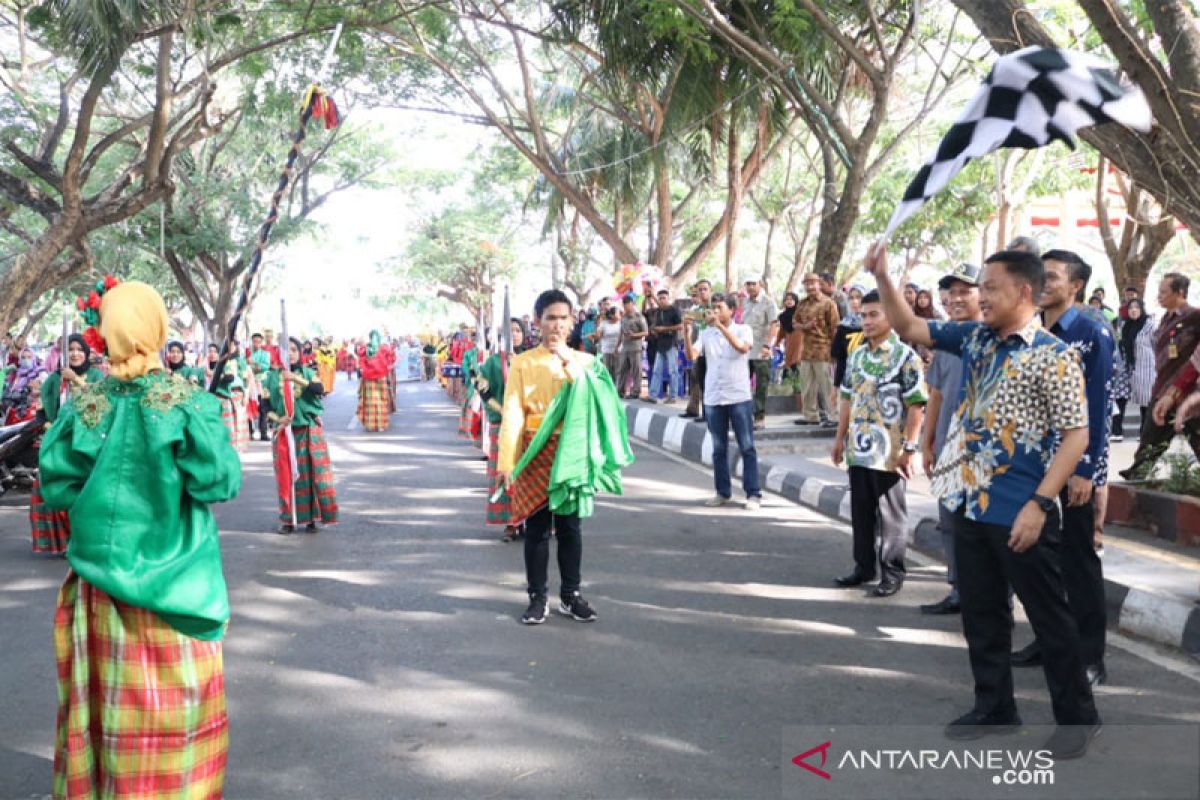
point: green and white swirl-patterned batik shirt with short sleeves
(881, 384)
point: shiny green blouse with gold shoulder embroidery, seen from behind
(137, 464)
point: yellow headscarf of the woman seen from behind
(134, 323)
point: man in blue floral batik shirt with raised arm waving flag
(1017, 438)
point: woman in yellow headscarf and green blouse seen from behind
(137, 460)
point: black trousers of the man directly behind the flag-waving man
(1083, 576)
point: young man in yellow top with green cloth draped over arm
(563, 438)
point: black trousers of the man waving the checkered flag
(987, 567)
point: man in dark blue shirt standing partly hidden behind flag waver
(1063, 315)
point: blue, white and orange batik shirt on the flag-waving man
(1018, 394)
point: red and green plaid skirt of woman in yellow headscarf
(142, 708)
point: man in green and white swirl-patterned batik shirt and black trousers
(883, 405)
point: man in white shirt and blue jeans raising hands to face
(729, 401)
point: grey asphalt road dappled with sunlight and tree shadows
(383, 658)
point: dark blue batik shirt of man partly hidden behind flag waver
(1093, 341)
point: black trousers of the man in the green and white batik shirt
(878, 508)
